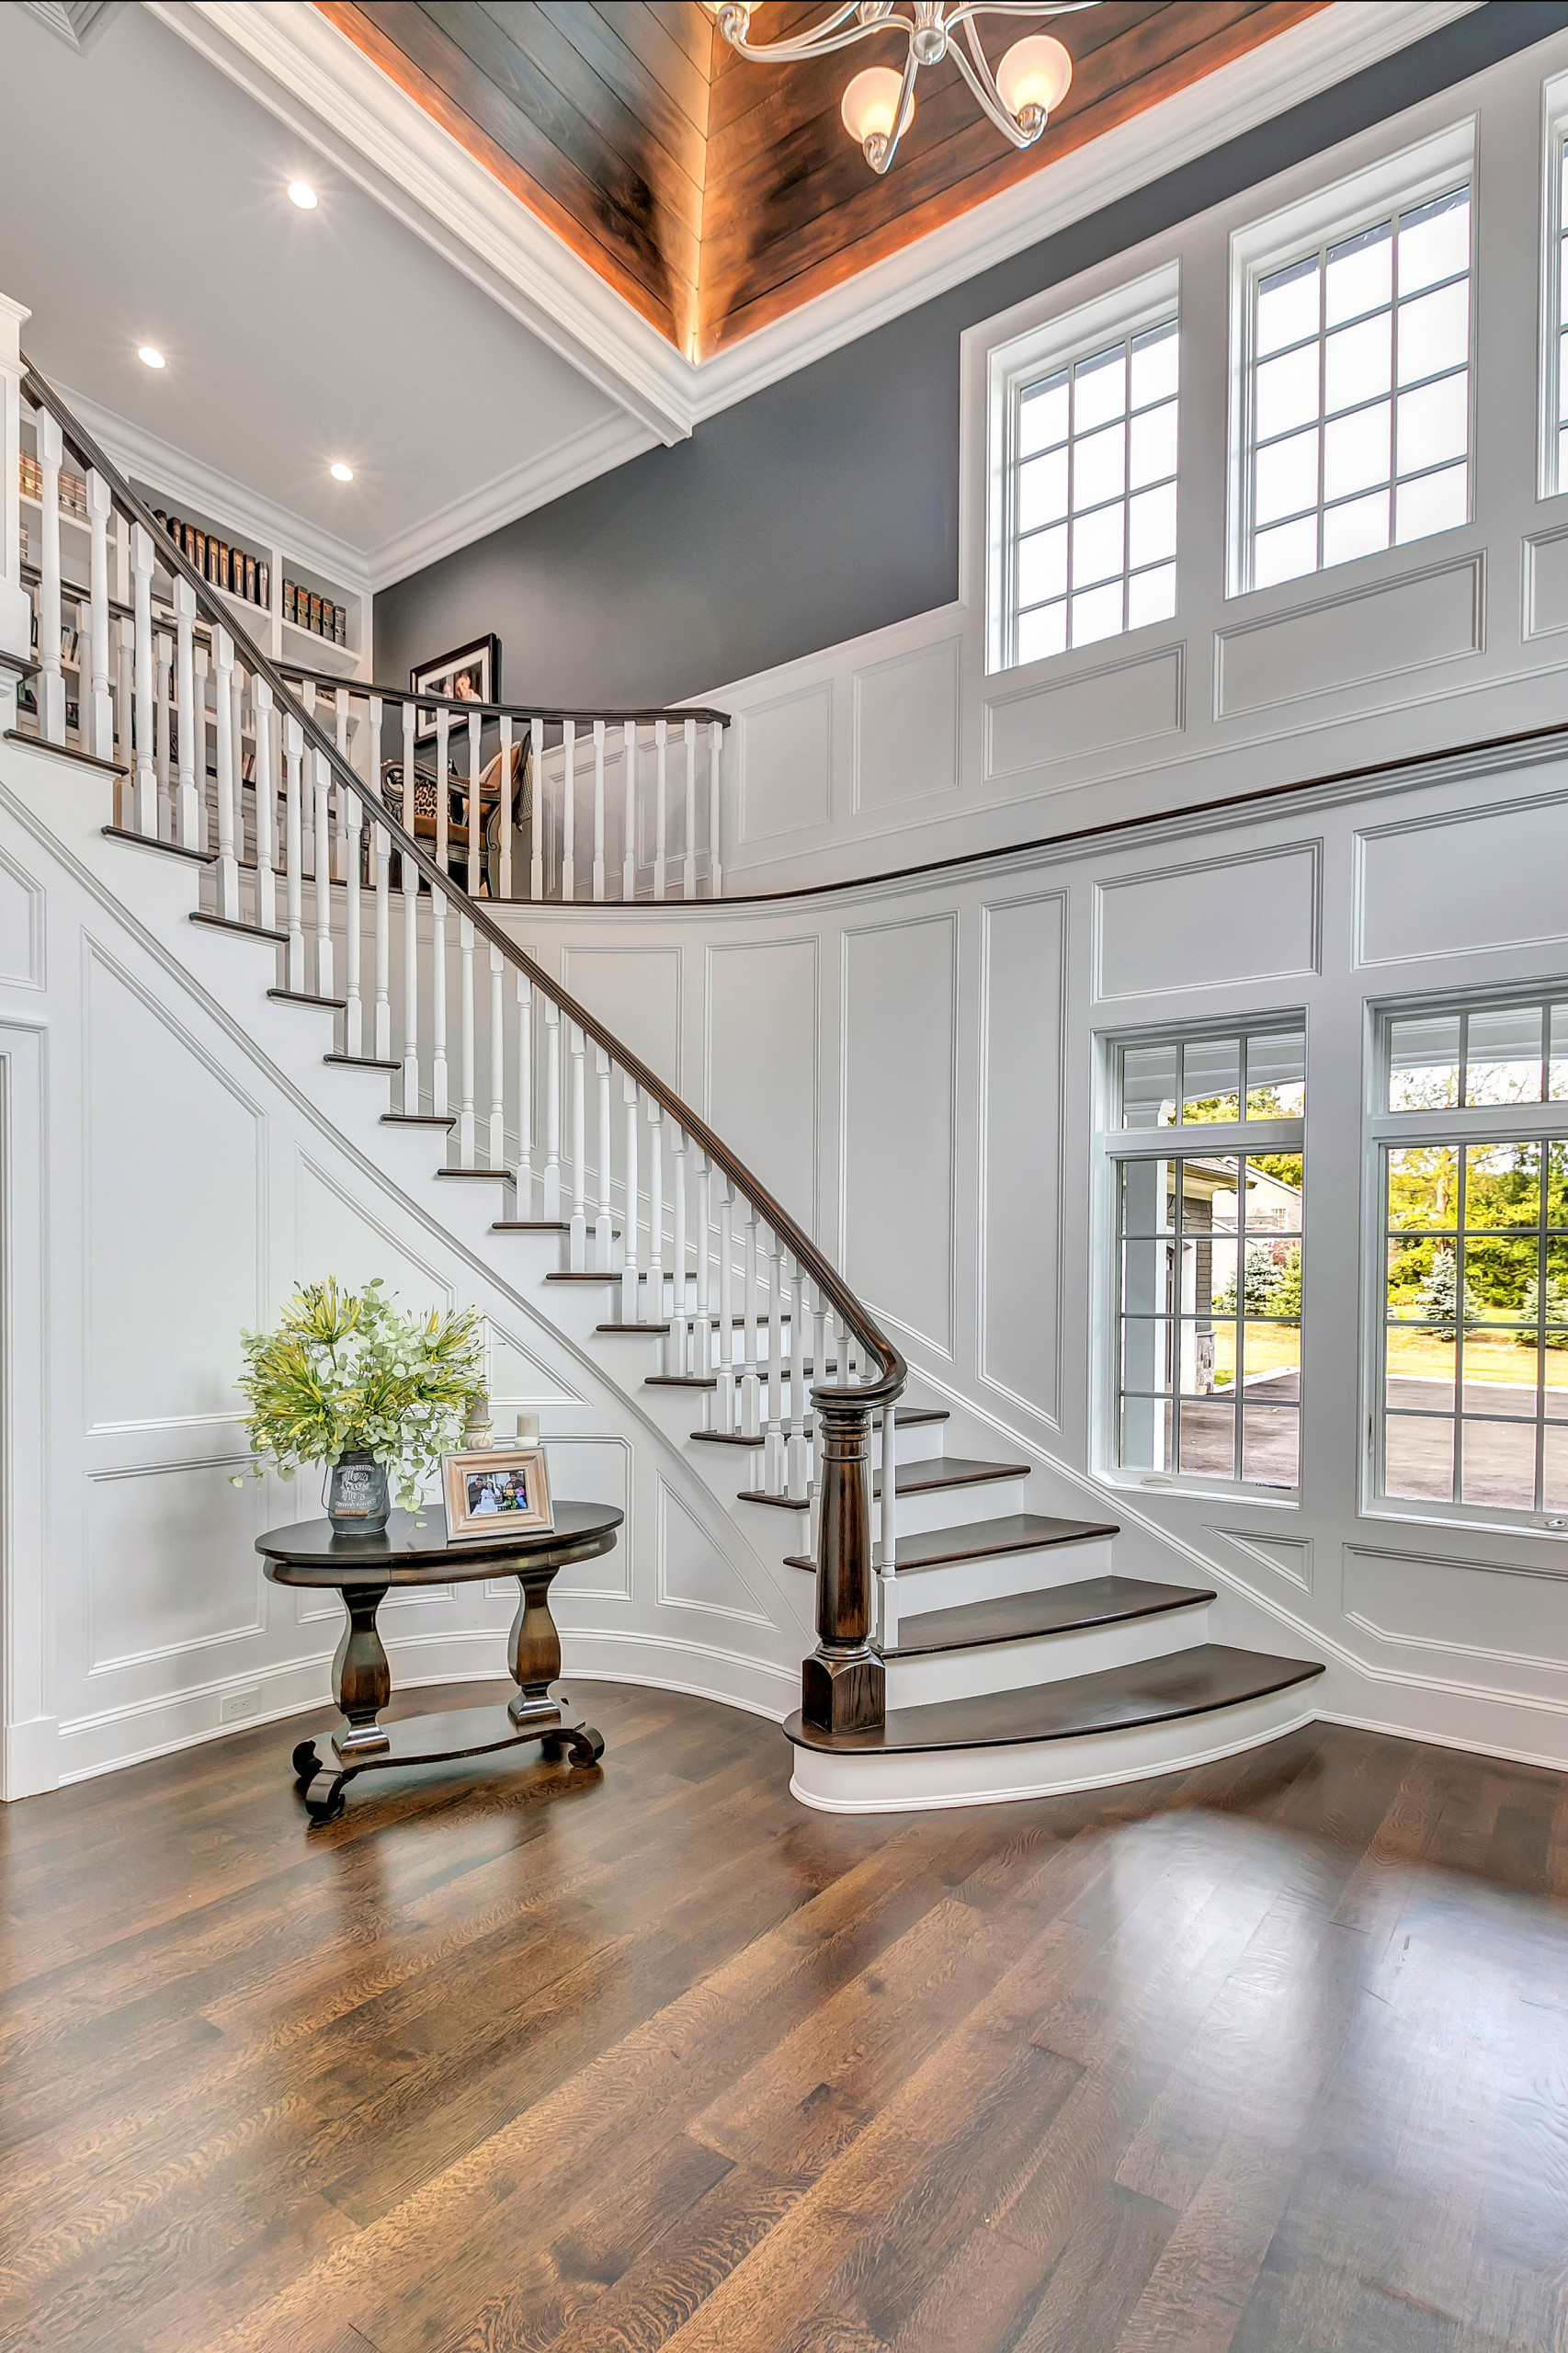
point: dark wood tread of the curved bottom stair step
(1115, 1700)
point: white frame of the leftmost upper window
(1011, 368)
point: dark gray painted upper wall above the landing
(828, 505)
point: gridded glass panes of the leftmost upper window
(1094, 495)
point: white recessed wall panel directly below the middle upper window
(1353, 639)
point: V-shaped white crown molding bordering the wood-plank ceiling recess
(310, 74)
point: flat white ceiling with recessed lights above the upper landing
(145, 201)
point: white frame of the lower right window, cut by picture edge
(1501, 1124)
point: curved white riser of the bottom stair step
(901, 1785)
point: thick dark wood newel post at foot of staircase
(844, 1684)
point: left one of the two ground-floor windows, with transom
(1209, 1255)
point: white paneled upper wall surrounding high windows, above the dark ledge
(1442, 641)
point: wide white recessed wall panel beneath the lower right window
(1466, 1608)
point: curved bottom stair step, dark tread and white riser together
(1028, 1745)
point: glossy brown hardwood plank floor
(1273, 2055)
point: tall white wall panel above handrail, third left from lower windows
(762, 1062)
